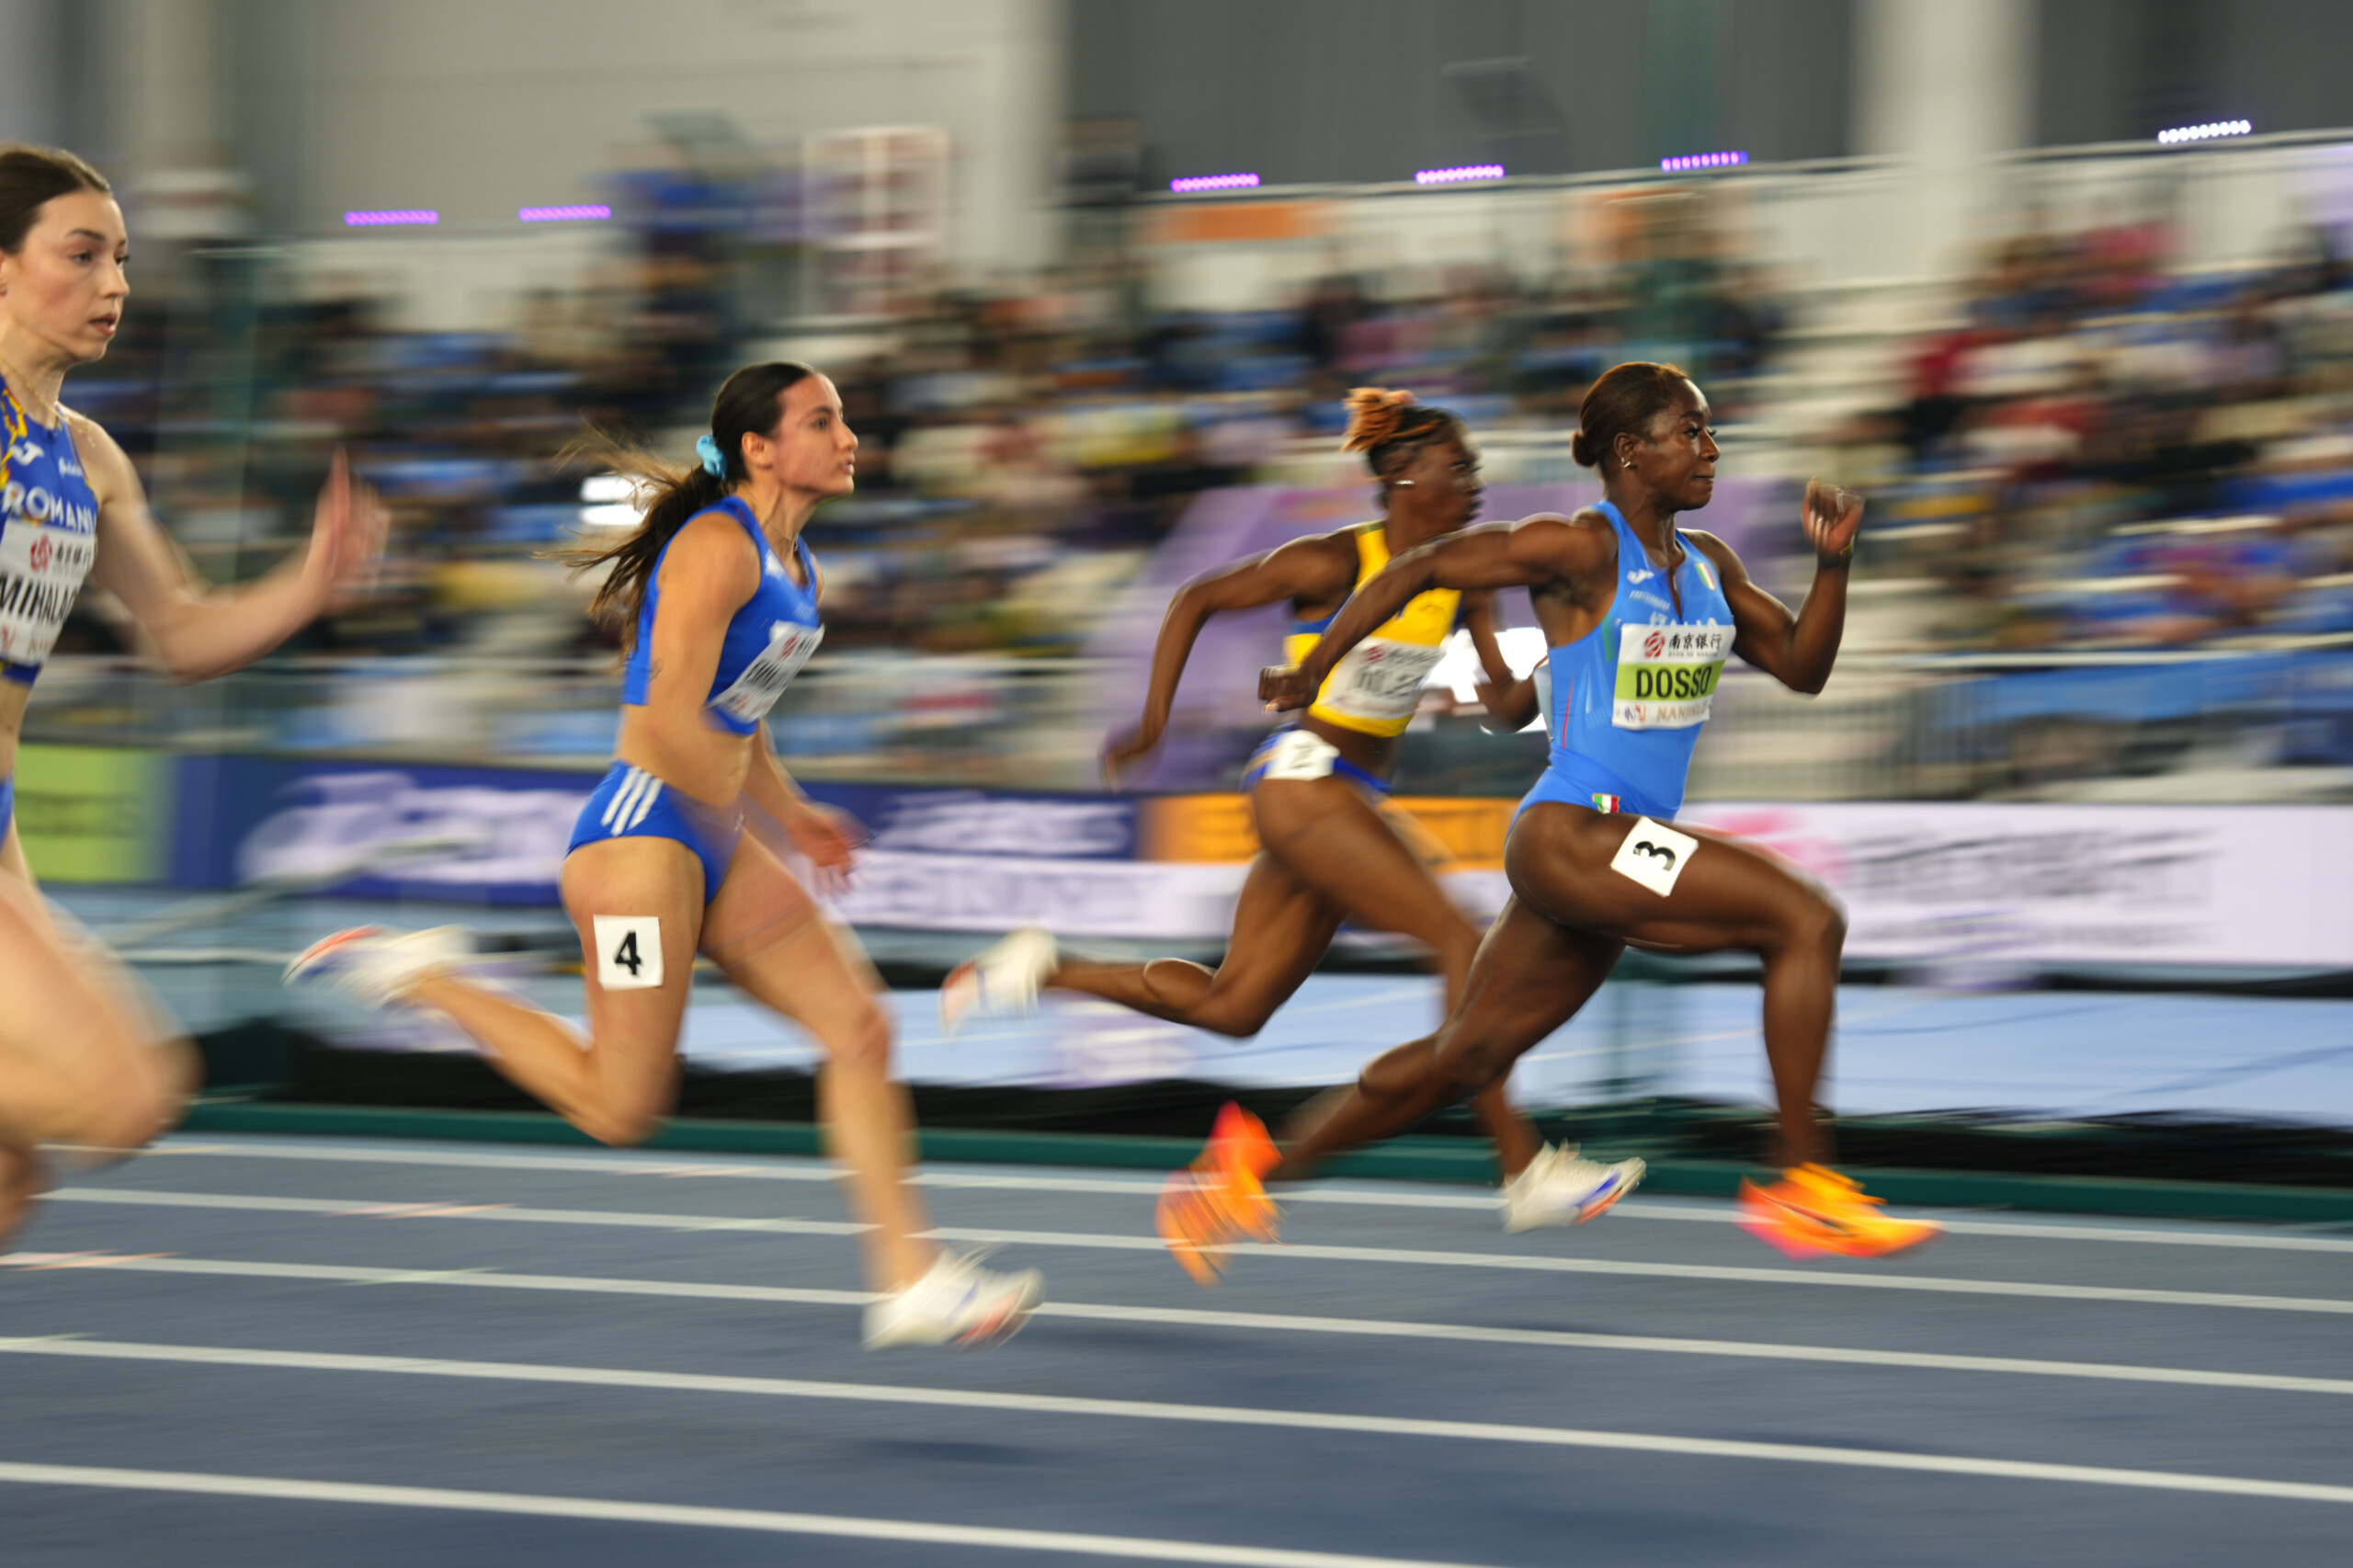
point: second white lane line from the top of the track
(1284, 1251)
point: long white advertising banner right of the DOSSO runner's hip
(2074, 884)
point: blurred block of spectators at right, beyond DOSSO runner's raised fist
(2102, 453)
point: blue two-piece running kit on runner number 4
(768, 639)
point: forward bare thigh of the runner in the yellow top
(1338, 844)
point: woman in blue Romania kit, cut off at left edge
(81, 1058)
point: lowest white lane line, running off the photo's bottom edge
(608, 1510)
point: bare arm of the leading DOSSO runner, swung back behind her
(1526, 554)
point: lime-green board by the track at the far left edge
(93, 813)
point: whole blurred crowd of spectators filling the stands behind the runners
(2091, 451)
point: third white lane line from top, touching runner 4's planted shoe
(1460, 1334)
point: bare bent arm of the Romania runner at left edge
(204, 632)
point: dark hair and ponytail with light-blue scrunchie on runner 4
(752, 404)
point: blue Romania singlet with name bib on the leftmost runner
(48, 538)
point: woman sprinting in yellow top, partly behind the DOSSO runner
(1331, 844)
